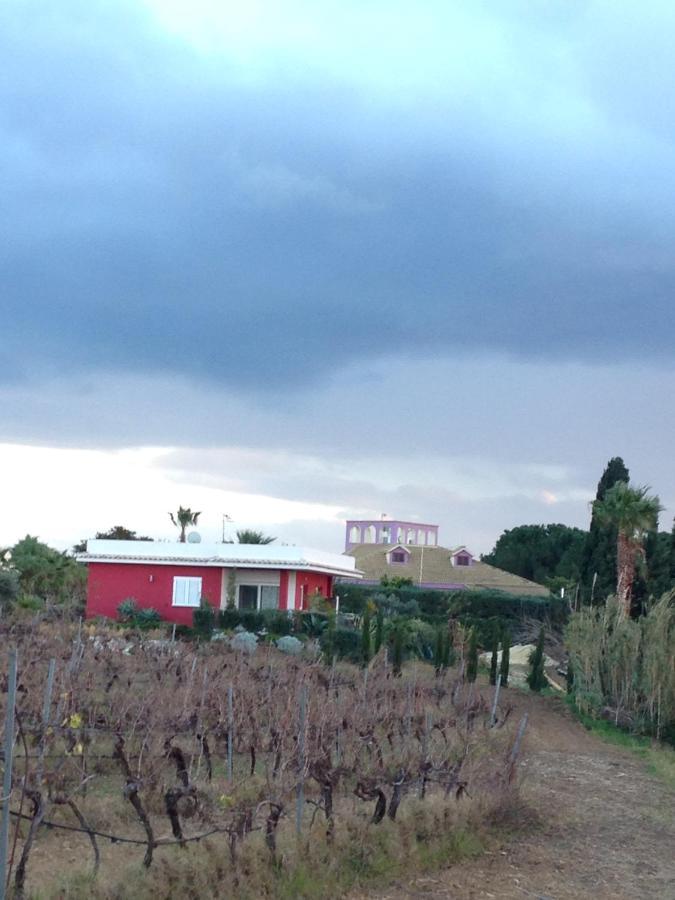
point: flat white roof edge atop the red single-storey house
(245, 556)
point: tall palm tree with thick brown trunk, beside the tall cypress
(633, 512)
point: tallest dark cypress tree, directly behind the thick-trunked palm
(599, 554)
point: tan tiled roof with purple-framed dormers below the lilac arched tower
(432, 566)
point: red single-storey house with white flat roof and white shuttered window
(173, 578)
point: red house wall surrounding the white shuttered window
(151, 585)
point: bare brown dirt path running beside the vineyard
(608, 827)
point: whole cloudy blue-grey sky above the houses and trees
(303, 261)
